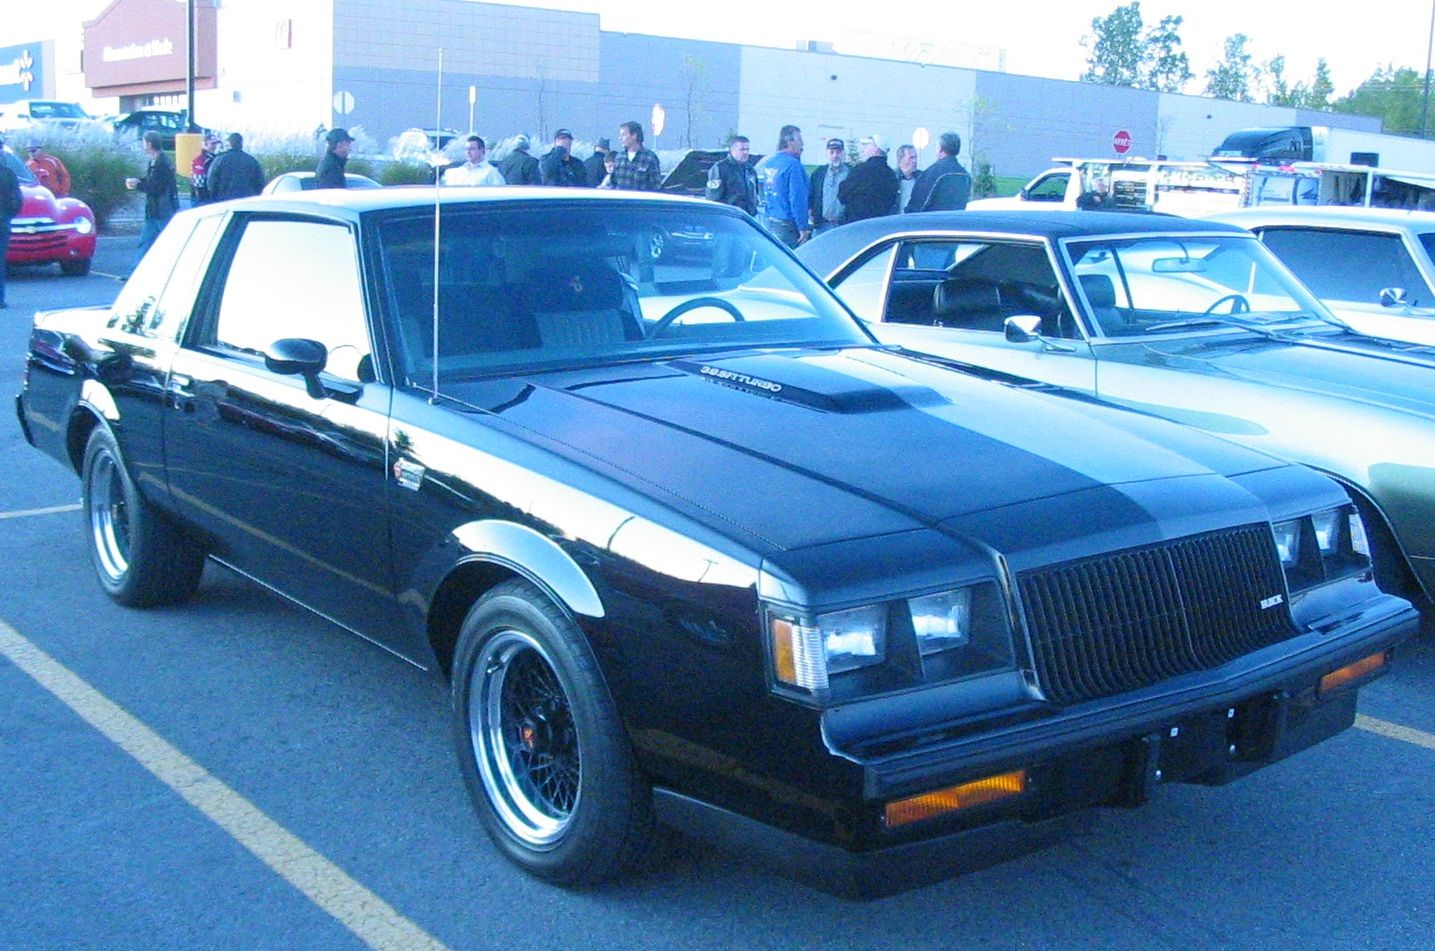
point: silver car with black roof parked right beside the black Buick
(1192, 321)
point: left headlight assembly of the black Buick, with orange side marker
(876, 649)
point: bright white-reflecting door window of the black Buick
(296, 279)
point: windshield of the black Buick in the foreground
(566, 285)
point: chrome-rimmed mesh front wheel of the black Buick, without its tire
(524, 738)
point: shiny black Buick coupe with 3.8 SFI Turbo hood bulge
(688, 544)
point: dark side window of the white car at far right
(1348, 266)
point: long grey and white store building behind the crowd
(282, 71)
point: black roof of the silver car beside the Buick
(830, 250)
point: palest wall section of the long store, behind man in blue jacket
(846, 97)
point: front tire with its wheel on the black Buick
(543, 749)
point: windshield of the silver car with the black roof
(1172, 283)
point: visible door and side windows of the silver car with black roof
(951, 298)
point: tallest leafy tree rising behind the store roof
(1126, 54)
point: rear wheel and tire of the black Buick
(141, 559)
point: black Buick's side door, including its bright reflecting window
(286, 475)
